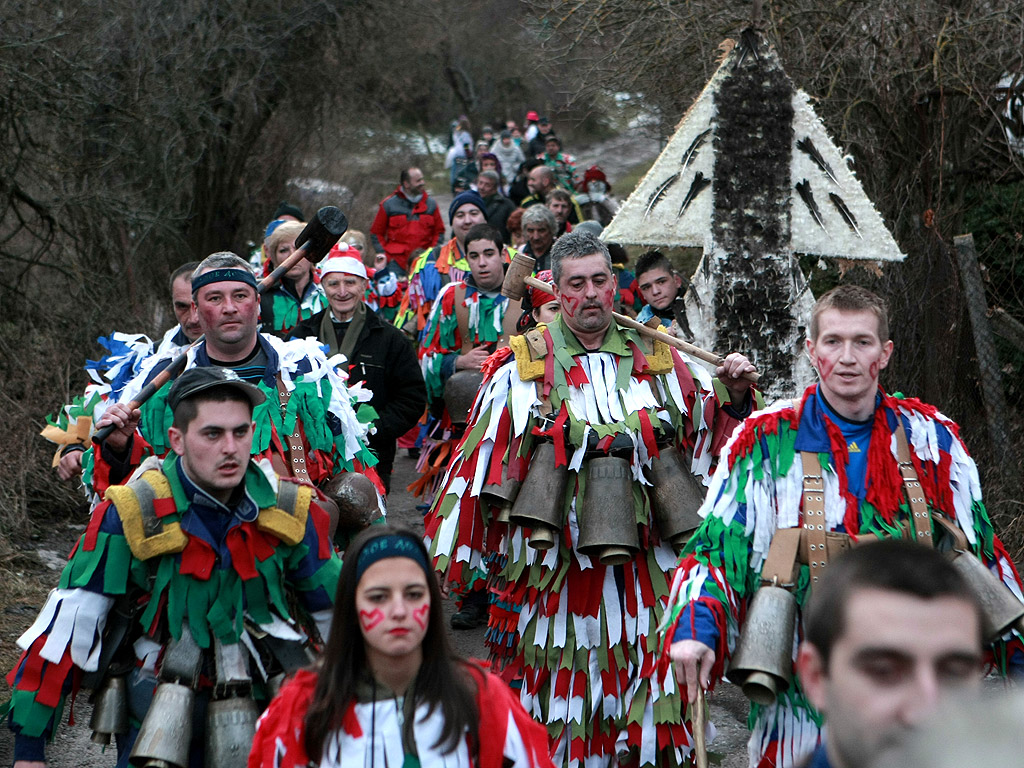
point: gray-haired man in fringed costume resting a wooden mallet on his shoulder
(583, 391)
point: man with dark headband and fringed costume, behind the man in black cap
(312, 432)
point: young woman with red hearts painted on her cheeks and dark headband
(389, 692)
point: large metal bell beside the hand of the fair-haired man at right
(762, 664)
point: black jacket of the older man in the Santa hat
(386, 360)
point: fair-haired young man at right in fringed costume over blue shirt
(848, 462)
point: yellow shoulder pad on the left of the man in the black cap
(148, 536)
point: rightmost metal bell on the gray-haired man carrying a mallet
(675, 497)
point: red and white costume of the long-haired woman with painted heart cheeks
(508, 738)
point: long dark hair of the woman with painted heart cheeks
(443, 680)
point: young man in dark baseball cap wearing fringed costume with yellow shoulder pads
(207, 573)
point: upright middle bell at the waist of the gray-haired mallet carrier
(608, 523)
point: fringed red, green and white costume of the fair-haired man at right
(757, 490)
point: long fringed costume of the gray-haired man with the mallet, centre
(587, 632)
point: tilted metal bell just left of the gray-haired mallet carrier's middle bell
(540, 503)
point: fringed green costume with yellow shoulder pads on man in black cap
(219, 569)
